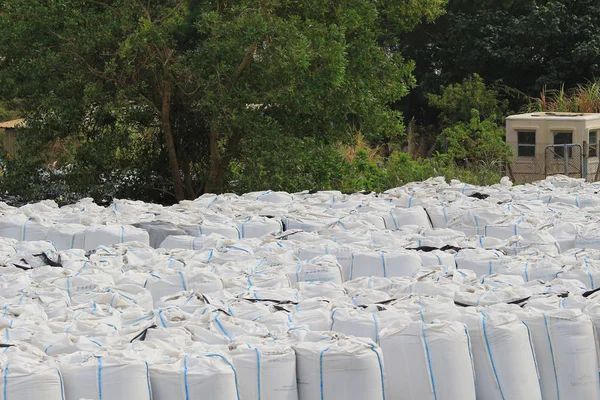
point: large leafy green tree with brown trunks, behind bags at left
(194, 79)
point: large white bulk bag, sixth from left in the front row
(428, 361)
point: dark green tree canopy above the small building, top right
(523, 44)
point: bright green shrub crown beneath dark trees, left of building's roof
(458, 100)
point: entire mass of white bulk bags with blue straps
(430, 291)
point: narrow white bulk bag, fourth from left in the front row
(266, 372)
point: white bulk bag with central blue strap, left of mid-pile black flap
(384, 264)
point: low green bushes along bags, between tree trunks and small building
(304, 165)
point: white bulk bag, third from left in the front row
(211, 376)
